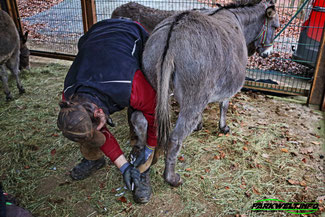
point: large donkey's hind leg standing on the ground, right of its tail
(187, 121)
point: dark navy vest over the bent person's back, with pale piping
(109, 54)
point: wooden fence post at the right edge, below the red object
(317, 91)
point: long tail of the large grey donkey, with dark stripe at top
(165, 68)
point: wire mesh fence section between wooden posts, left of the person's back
(54, 26)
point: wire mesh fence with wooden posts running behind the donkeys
(55, 27)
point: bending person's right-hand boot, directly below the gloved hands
(143, 192)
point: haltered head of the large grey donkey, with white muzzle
(263, 43)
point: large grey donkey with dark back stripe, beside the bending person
(203, 57)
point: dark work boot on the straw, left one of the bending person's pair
(86, 167)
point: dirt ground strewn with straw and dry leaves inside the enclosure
(275, 151)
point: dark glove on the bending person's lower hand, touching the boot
(130, 175)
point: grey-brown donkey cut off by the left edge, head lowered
(14, 53)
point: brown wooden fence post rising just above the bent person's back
(89, 16)
